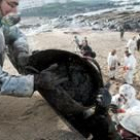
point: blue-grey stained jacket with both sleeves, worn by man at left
(21, 86)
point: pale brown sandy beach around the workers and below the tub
(32, 118)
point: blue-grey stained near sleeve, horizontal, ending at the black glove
(19, 86)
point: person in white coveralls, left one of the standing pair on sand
(113, 63)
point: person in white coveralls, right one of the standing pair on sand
(129, 67)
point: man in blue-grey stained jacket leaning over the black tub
(14, 39)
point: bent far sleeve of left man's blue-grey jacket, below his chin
(17, 45)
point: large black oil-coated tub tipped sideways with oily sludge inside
(72, 87)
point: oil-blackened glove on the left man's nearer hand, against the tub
(48, 79)
